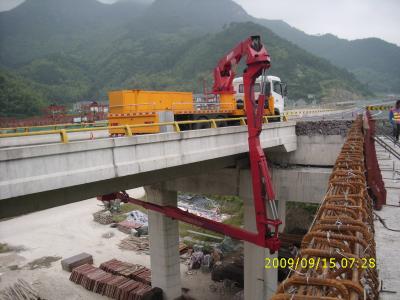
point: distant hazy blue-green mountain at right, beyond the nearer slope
(375, 62)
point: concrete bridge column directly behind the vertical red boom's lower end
(259, 283)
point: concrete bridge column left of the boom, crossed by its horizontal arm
(164, 244)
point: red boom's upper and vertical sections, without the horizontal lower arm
(258, 61)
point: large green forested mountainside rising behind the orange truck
(74, 50)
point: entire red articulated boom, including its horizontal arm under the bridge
(258, 61)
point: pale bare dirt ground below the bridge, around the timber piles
(40, 240)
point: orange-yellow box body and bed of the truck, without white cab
(136, 107)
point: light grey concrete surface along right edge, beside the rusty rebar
(387, 241)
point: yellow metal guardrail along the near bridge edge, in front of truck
(127, 129)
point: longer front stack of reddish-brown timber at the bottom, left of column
(113, 286)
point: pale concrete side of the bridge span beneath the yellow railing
(83, 169)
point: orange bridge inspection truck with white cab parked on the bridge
(226, 100)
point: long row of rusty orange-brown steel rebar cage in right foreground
(337, 256)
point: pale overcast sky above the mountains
(350, 19)
